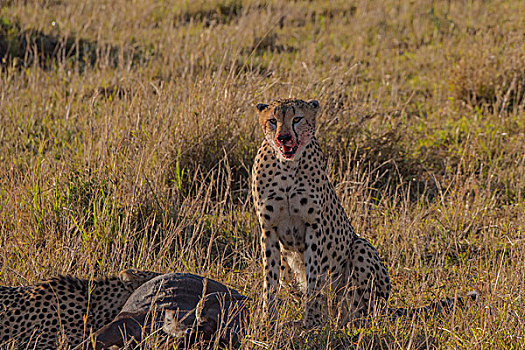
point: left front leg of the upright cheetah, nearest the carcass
(272, 265)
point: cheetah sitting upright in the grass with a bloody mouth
(305, 230)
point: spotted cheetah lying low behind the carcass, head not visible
(36, 317)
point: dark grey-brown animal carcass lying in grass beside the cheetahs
(186, 307)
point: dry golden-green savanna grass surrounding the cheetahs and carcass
(128, 131)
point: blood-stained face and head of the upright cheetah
(288, 125)
